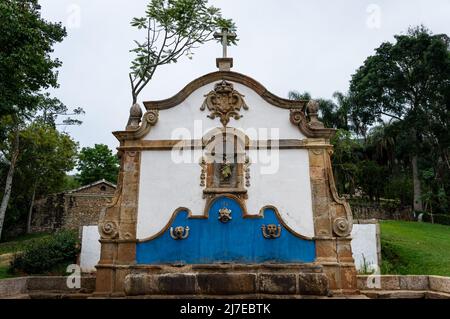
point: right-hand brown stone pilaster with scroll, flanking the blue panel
(332, 221)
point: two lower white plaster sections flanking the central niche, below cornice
(277, 179)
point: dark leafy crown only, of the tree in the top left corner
(26, 65)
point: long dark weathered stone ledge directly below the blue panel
(213, 283)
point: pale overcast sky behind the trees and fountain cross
(304, 45)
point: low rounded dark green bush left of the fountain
(44, 255)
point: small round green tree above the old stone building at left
(96, 163)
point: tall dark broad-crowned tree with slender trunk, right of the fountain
(406, 81)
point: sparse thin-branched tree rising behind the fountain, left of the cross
(173, 28)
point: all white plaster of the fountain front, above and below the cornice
(279, 179)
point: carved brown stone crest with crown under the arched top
(224, 102)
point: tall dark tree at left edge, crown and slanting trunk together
(26, 71)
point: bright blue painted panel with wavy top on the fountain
(239, 240)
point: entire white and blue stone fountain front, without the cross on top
(225, 188)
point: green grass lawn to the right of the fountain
(411, 248)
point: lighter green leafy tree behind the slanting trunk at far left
(45, 155)
